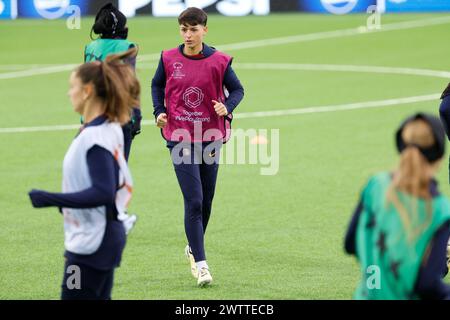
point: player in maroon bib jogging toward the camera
(192, 110)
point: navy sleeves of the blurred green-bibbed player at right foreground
(429, 284)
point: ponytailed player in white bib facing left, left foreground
(97, 184)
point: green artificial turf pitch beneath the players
(270, 237)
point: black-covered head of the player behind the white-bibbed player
(110, 23)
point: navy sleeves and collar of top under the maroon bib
(230, 81)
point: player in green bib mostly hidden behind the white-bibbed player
(111, 27)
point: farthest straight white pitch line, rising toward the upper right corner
(260, 43)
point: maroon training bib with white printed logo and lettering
(191, 86)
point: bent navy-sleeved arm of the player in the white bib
(103, 171)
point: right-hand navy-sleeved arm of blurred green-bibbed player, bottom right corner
(429, 283)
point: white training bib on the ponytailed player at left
(84, 228)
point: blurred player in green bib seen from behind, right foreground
(400, 228)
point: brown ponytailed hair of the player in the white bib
(115, 84)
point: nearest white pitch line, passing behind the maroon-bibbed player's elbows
(260, 114)
